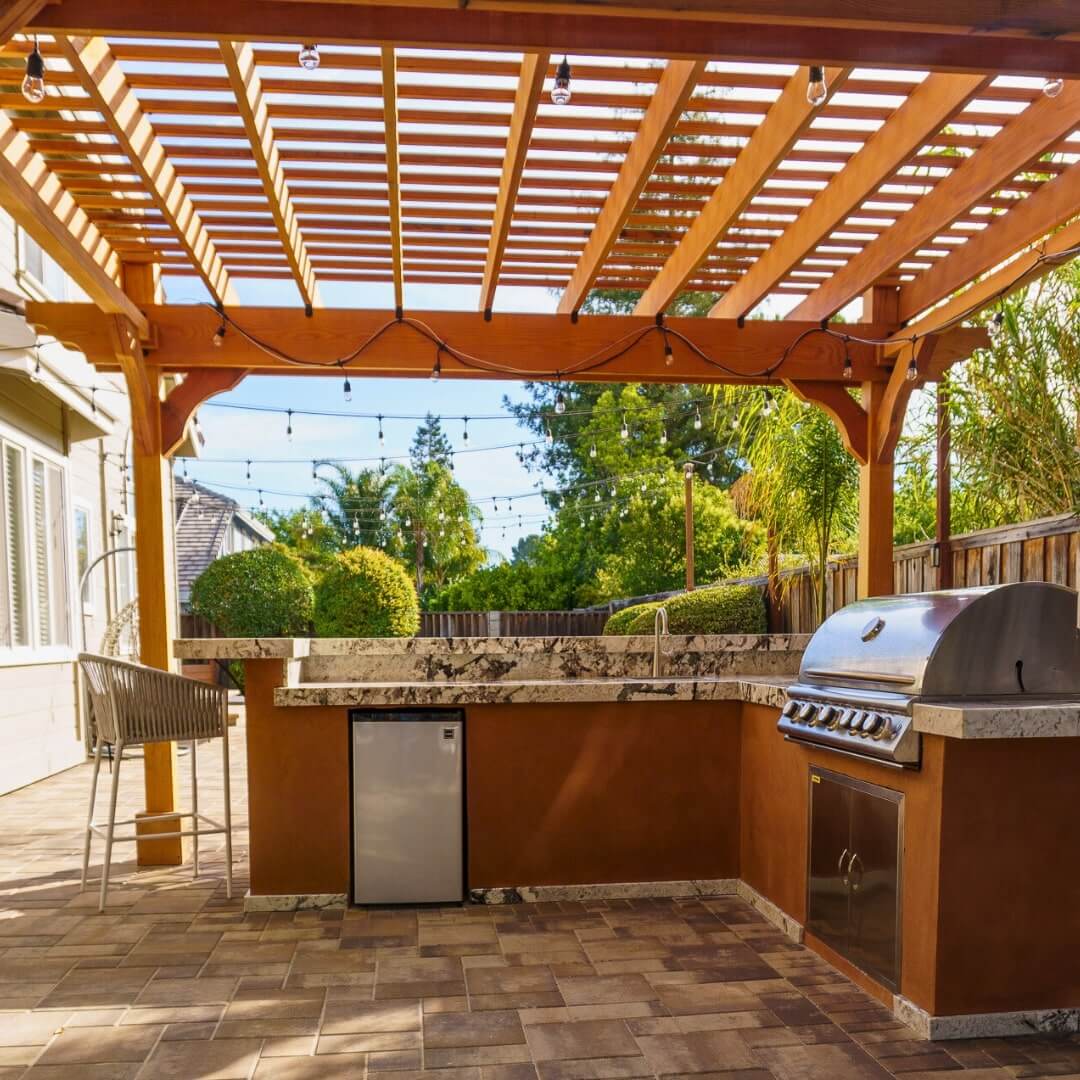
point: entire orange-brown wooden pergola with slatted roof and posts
(936, 178)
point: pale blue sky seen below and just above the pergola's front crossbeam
(239, 436)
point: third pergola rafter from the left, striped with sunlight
(240, 66)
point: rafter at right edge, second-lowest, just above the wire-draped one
(1039, 214)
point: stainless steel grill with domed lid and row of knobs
(871, 663)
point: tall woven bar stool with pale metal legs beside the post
(134, 706)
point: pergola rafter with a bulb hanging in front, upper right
(788, 118)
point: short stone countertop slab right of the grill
(997, 720)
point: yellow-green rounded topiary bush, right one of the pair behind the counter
(366, 593)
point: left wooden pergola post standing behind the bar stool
(155, 570)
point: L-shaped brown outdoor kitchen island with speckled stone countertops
(588, 778)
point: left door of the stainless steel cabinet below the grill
(830, 900)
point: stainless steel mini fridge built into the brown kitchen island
(408, 780)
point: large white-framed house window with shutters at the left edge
(35, 606)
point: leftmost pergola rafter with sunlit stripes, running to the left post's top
(40, 206)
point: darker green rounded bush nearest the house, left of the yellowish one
(264, 592)
